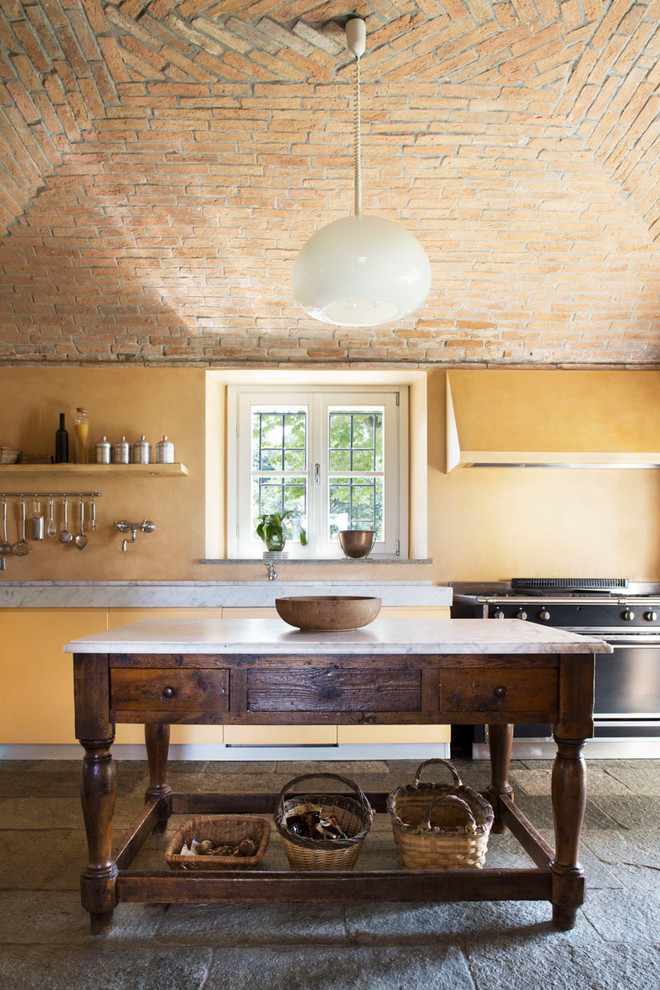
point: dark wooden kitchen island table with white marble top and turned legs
(259, 671)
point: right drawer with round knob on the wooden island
(533, 690)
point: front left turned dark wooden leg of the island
(98, 882)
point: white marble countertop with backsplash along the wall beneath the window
(207, 594)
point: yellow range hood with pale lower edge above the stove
(552, 418)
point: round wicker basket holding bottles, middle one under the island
(352, 811)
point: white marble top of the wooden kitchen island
(274, 636)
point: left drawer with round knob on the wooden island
(156, 690)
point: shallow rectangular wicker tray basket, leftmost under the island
(221, 830)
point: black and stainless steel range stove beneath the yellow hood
(627, 706)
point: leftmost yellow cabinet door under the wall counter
(36, 676)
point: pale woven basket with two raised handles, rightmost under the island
(439, 826)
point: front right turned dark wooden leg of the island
(569, 798)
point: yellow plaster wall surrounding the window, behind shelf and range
(483, 524)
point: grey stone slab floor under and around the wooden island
(45, 944)
